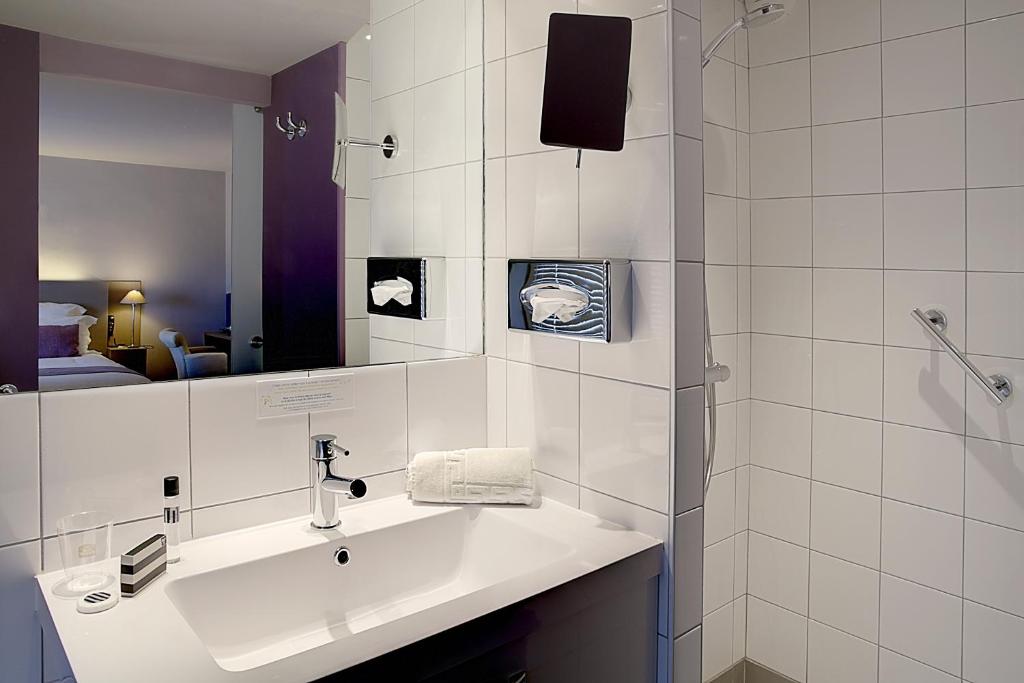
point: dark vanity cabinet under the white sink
(602, 628)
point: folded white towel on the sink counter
(473, 476)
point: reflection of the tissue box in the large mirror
(426, 277)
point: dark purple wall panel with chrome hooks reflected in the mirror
(304, 221)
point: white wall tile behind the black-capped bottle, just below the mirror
(84, 469)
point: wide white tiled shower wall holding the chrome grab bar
(886, 523)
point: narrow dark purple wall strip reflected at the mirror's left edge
(20, 202)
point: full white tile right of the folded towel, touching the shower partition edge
(624, 447)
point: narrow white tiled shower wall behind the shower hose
(729, 120)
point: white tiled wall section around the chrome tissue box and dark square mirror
(601, 419)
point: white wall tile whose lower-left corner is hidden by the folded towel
(543, 410)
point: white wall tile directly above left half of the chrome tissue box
(543, 205)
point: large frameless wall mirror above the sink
(198, 190)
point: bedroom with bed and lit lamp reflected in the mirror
(135, 235)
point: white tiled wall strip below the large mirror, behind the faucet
(110, 450)
